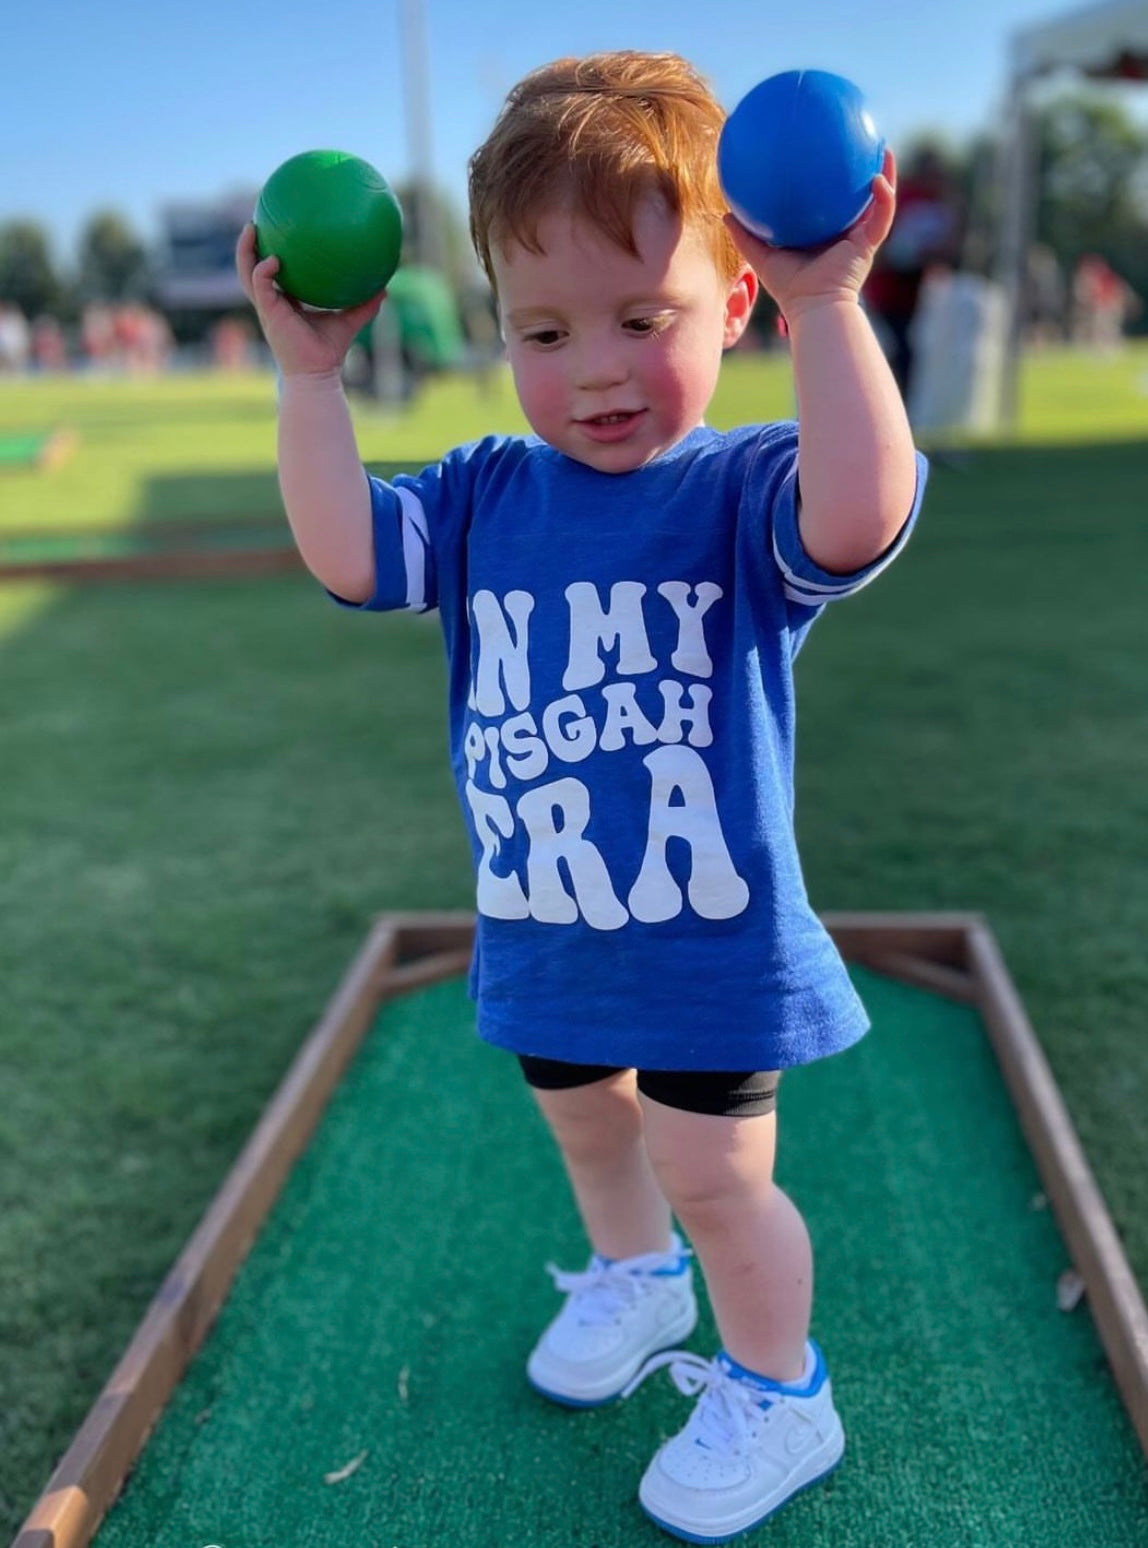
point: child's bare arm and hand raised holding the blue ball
(855, 447)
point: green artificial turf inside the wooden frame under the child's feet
(364, 1383)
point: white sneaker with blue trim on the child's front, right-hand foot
(747, 1450)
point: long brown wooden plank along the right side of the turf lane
(1113, 1295)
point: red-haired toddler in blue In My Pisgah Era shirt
(623, 595)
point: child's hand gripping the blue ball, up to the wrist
(838, 272)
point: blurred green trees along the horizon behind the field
(1093, 197)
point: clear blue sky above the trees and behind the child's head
(128, 104)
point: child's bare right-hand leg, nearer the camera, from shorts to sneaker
(751, 1241)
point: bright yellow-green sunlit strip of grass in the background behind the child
(134, 433)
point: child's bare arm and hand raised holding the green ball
(321, 473)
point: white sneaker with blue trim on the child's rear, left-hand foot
(618, 1313)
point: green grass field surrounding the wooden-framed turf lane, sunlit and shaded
(210, 789)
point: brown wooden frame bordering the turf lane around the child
(952, 954)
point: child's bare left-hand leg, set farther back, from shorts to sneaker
(600, 1132)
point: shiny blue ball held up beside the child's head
(798, 159)
